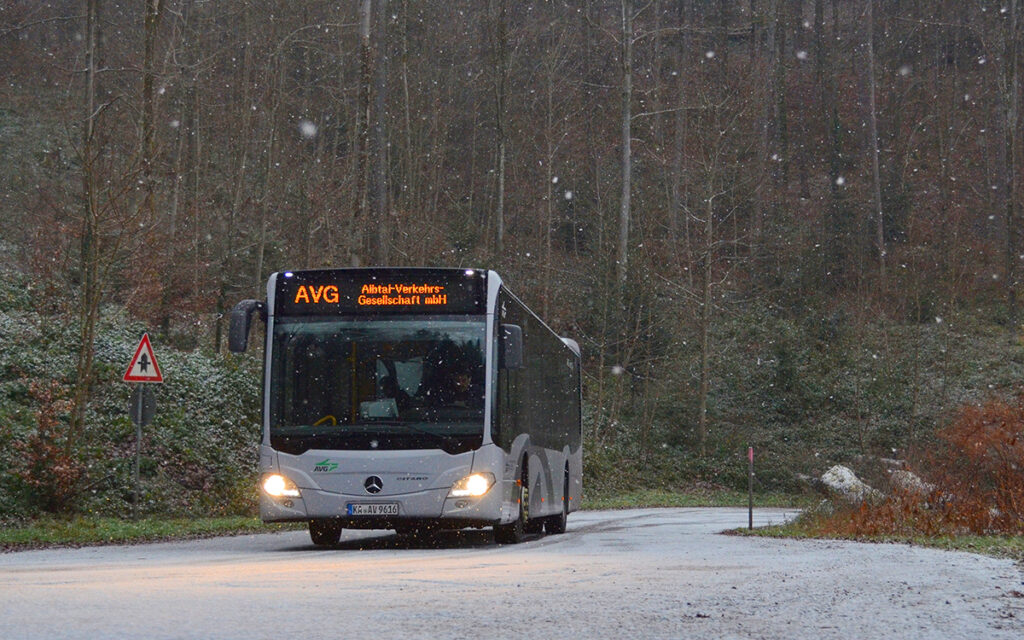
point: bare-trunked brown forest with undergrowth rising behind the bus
(788, 225)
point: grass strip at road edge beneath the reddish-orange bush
(998, 546)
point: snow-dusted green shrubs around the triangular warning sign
(199, 456)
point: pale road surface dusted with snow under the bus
(635, 574)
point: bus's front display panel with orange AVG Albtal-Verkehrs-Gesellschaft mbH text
(381, 292)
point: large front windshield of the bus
(372, 383)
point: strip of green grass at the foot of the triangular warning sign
(83, 531)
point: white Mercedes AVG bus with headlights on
(415, 400)
